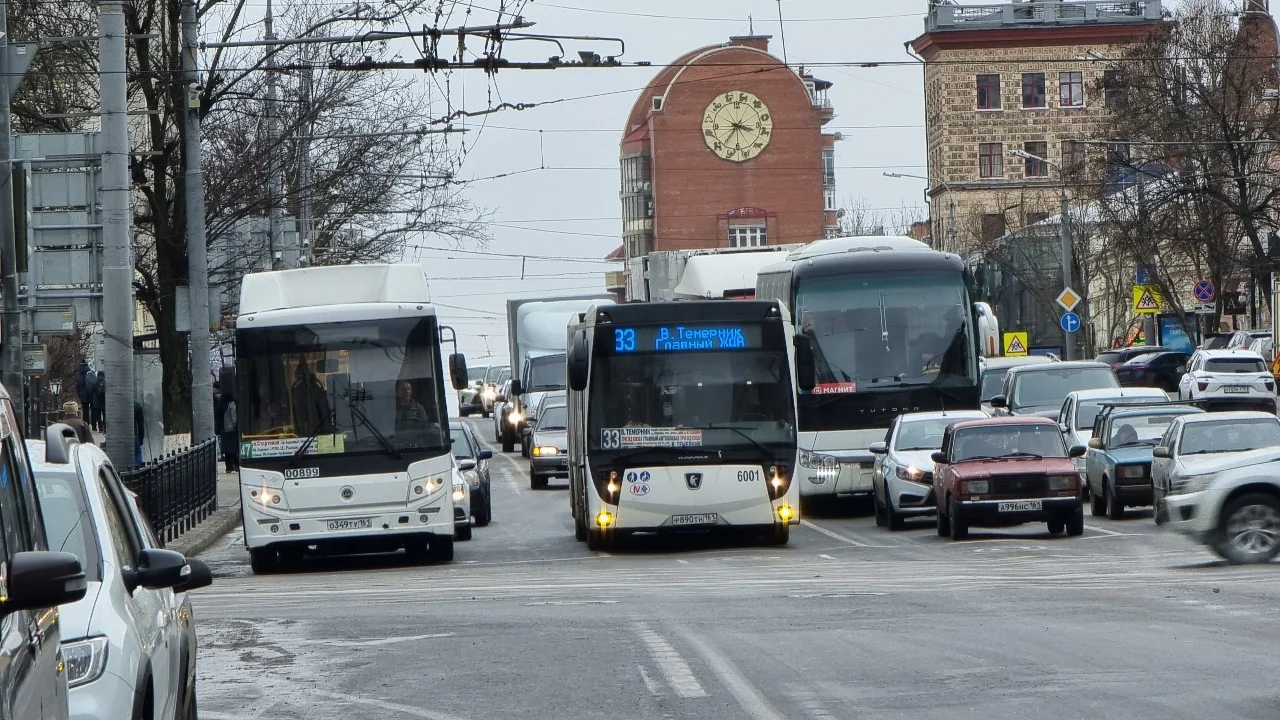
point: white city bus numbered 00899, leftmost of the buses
(344, 430)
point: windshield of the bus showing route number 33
(703, 399)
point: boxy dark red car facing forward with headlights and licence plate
(1000, 472)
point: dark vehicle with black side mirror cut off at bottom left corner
(33, 680)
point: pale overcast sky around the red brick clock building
(570, 211)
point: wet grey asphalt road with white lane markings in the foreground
(849, 621)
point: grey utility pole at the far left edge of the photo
(11, 327)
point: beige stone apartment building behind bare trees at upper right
(1021, 76)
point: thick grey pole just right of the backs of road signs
(117, 252)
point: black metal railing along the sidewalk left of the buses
(179, 490)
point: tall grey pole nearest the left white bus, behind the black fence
(198, 263)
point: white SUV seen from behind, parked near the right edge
(1229, 380)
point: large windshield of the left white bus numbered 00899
(341, 389)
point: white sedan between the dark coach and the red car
(903, 481)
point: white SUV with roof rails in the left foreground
(130, 645)
